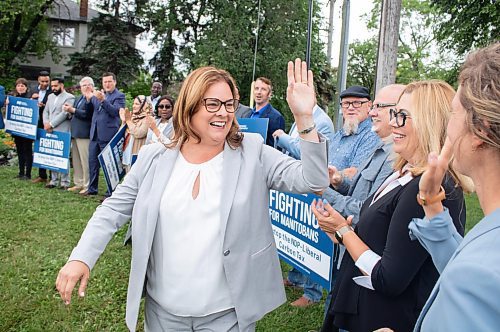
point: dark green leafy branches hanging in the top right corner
(467, 24)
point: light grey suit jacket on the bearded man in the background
(54, 113)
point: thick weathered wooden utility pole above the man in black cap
(387, 54)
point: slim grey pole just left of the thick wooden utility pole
(342, 69)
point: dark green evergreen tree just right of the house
(108, 48)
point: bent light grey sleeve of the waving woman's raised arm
(284, 173)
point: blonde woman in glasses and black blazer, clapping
(386, 278)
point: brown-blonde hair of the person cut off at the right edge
(480, 94)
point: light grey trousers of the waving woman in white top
(158, 320)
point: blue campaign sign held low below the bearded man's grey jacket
(52, 151)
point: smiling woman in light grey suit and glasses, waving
(203, 247)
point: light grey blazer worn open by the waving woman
(250, 257)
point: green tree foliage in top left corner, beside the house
(24, 29)
